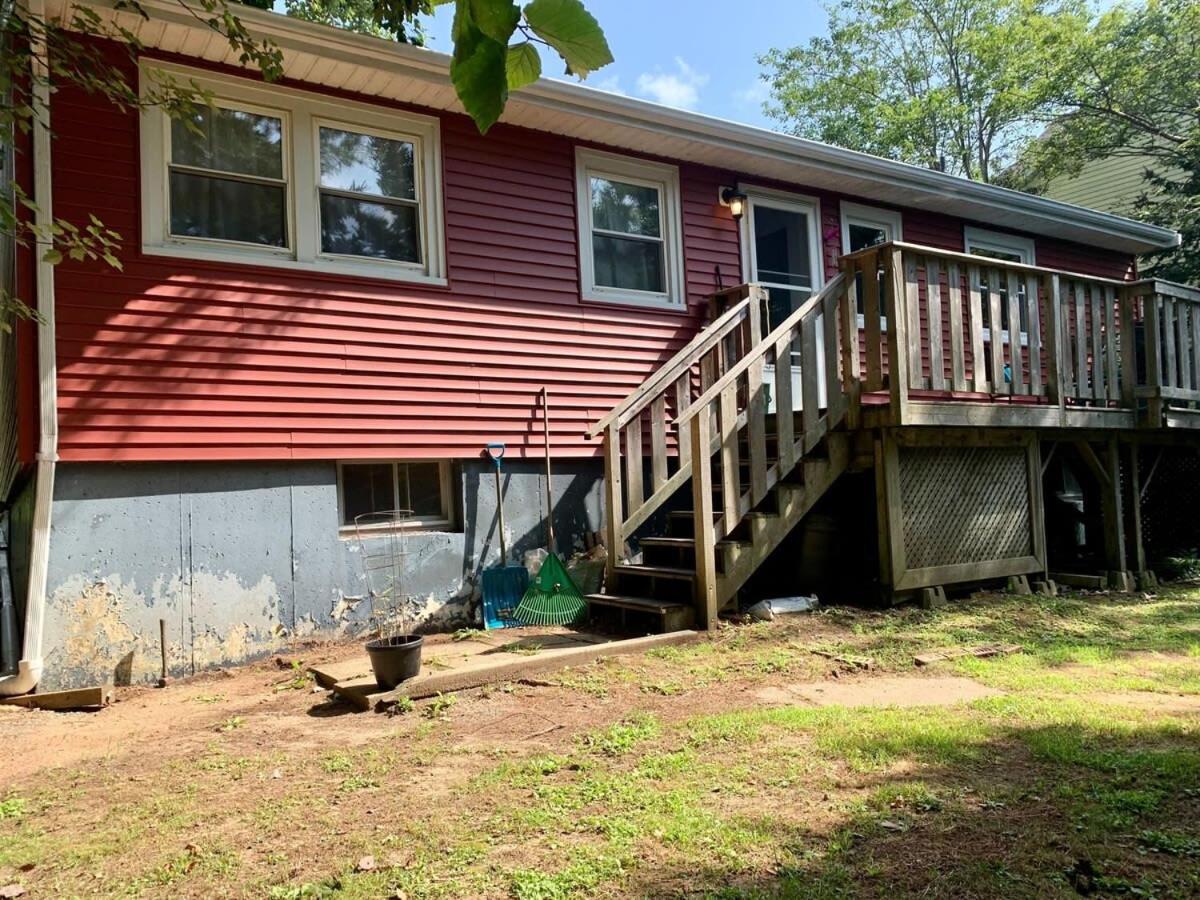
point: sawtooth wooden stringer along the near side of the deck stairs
(769, 531)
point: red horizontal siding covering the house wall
(175, 359)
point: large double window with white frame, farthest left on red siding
(279, 177)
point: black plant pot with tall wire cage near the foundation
(395, 653)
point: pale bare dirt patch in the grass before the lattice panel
(884, 692)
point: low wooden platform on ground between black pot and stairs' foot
(449, 671)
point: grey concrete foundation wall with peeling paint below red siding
(239, 559)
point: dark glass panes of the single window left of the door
(628, 248)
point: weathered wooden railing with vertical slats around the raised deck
(977, 326)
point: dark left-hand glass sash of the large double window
(227, 179)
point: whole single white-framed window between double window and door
(629, 231)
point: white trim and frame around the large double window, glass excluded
(302, 113)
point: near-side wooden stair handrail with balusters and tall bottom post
(716, 433)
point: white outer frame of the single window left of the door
(665, 179)
